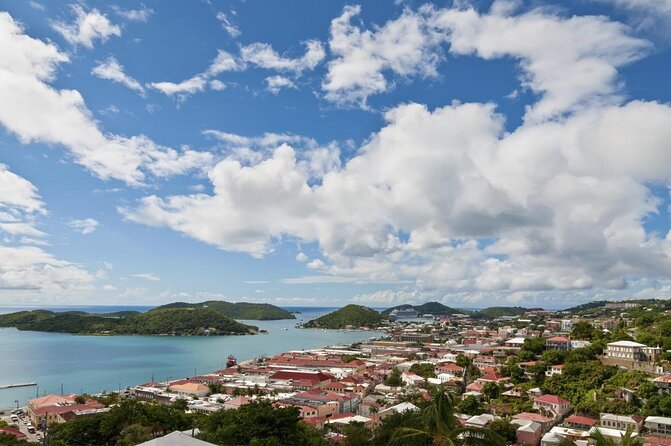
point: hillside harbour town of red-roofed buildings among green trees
(533, 378)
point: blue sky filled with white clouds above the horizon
(308, 153)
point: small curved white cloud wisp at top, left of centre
(264, 56)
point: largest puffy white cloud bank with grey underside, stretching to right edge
(562, 202)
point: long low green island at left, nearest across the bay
(159, 321)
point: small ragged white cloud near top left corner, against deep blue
(87, 27)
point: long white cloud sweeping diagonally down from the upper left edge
(35, 111)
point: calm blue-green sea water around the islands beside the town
(92, 364)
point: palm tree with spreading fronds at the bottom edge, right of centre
(440, 427)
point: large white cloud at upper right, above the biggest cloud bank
(572, 62)
